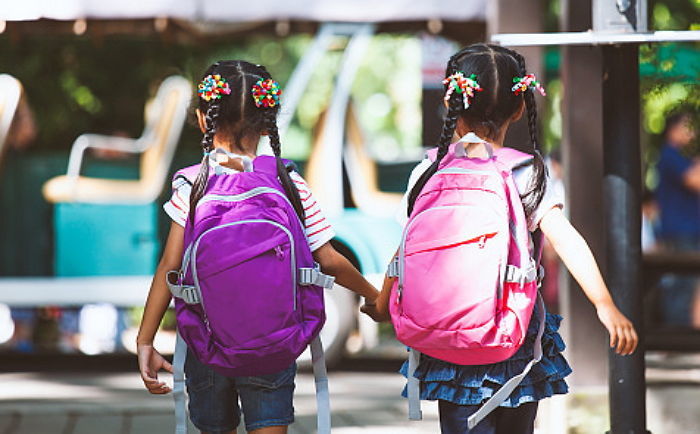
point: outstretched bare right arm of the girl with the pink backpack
(578, 258)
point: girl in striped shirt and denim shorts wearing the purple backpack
(237, 103)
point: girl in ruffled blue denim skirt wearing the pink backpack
(462, 290)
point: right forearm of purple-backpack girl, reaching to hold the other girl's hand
(335, 264)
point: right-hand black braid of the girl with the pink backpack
(538, 185)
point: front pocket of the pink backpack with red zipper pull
(452, 267)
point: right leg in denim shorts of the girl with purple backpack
(266, 401)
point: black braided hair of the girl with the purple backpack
(235, 116)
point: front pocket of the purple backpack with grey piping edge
(246, 273)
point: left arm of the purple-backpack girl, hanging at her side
(150, 361)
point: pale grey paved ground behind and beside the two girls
(362, 402)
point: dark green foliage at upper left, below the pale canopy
(78, 84)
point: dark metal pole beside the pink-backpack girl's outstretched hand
(622, 190)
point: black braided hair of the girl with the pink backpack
(494, 67)
